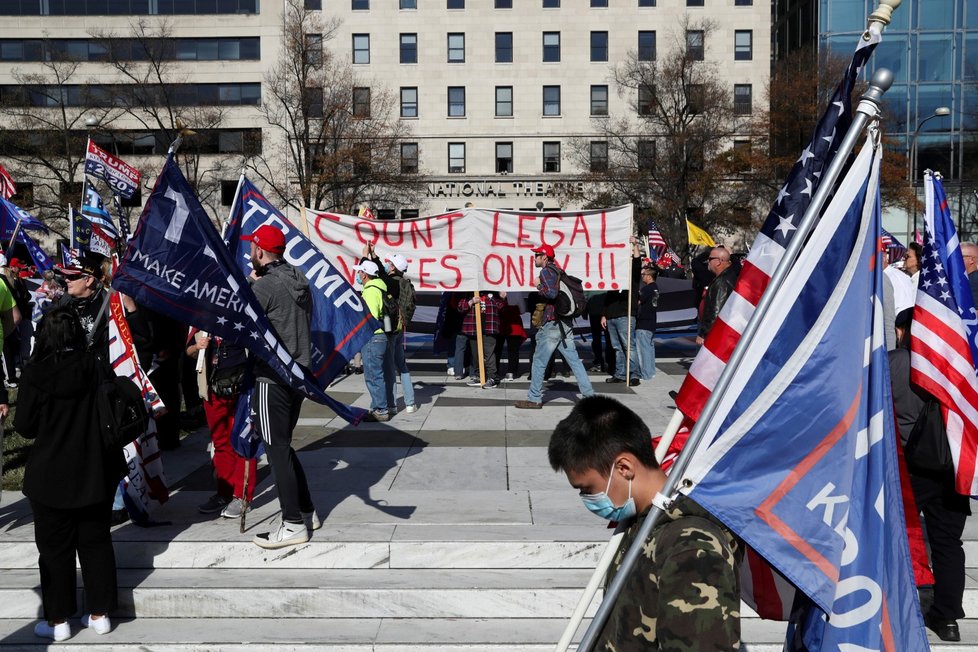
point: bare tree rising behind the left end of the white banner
(338, 136)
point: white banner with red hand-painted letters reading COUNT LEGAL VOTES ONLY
(485, 249)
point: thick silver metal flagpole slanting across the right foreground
(868, 109)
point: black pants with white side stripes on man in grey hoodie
(275, 411)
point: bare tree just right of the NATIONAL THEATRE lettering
(673, 154)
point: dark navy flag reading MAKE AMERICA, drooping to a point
(177, 265)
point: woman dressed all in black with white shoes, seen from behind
(70, 476)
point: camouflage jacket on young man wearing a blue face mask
(684, 594)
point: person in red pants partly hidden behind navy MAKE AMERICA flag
(224, 369)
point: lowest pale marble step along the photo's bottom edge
(359, 635)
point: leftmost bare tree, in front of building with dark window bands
(45, 131)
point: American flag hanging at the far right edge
(942, 339)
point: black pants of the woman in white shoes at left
(59, 534)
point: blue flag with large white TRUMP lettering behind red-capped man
(340, 325)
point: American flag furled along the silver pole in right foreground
(768, 592)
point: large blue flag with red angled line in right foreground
(800, 459)
